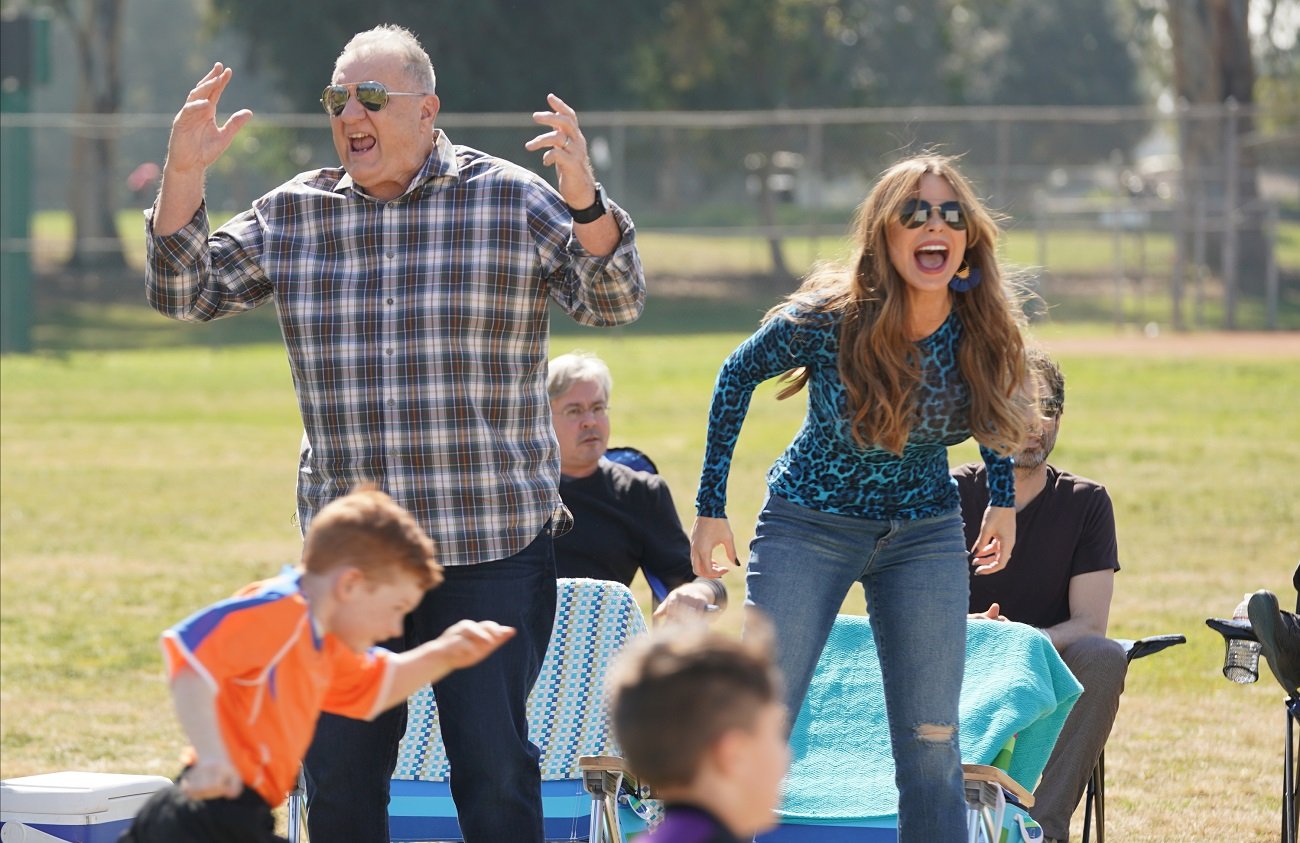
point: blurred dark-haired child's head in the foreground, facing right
(701, 721)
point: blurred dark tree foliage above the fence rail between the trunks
(505, 55)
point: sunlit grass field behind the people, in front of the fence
(138, 486)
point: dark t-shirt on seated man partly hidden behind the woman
(1068, 530)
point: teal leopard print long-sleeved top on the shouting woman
(824, 469)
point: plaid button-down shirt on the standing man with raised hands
(417, 332)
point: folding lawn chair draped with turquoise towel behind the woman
(1016, 697)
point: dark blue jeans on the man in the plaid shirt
(496, 783)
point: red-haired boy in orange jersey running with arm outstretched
(252, 675)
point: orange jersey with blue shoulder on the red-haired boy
(272, 673)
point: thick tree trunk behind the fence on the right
(1212, 66)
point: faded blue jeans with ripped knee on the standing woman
(801, 567)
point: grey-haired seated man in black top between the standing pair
(623, 520)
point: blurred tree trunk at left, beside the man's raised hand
(97, 244)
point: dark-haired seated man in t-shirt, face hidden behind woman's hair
(1060, 580)
